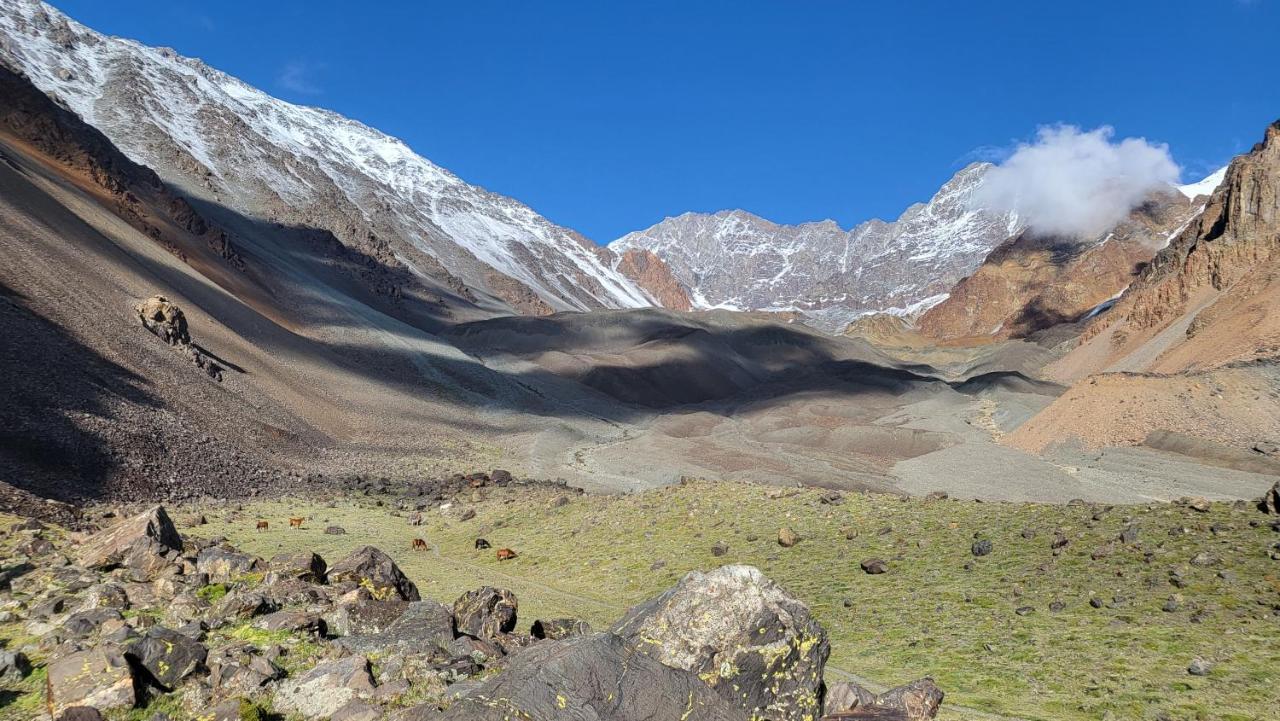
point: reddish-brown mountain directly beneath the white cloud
(1034, 282)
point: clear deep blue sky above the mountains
(610, 116)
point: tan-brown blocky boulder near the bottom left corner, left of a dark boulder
(100, 678)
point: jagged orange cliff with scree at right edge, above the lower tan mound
(1213, 296)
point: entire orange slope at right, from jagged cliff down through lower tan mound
(1190, 357)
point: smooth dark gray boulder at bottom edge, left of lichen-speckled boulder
(597, 678)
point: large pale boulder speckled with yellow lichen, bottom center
(743, 635)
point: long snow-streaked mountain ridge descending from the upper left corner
(222, 142)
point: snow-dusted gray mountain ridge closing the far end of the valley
(738, 261)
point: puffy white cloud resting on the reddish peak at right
(1077, 184)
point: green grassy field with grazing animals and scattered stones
(939, 610)
